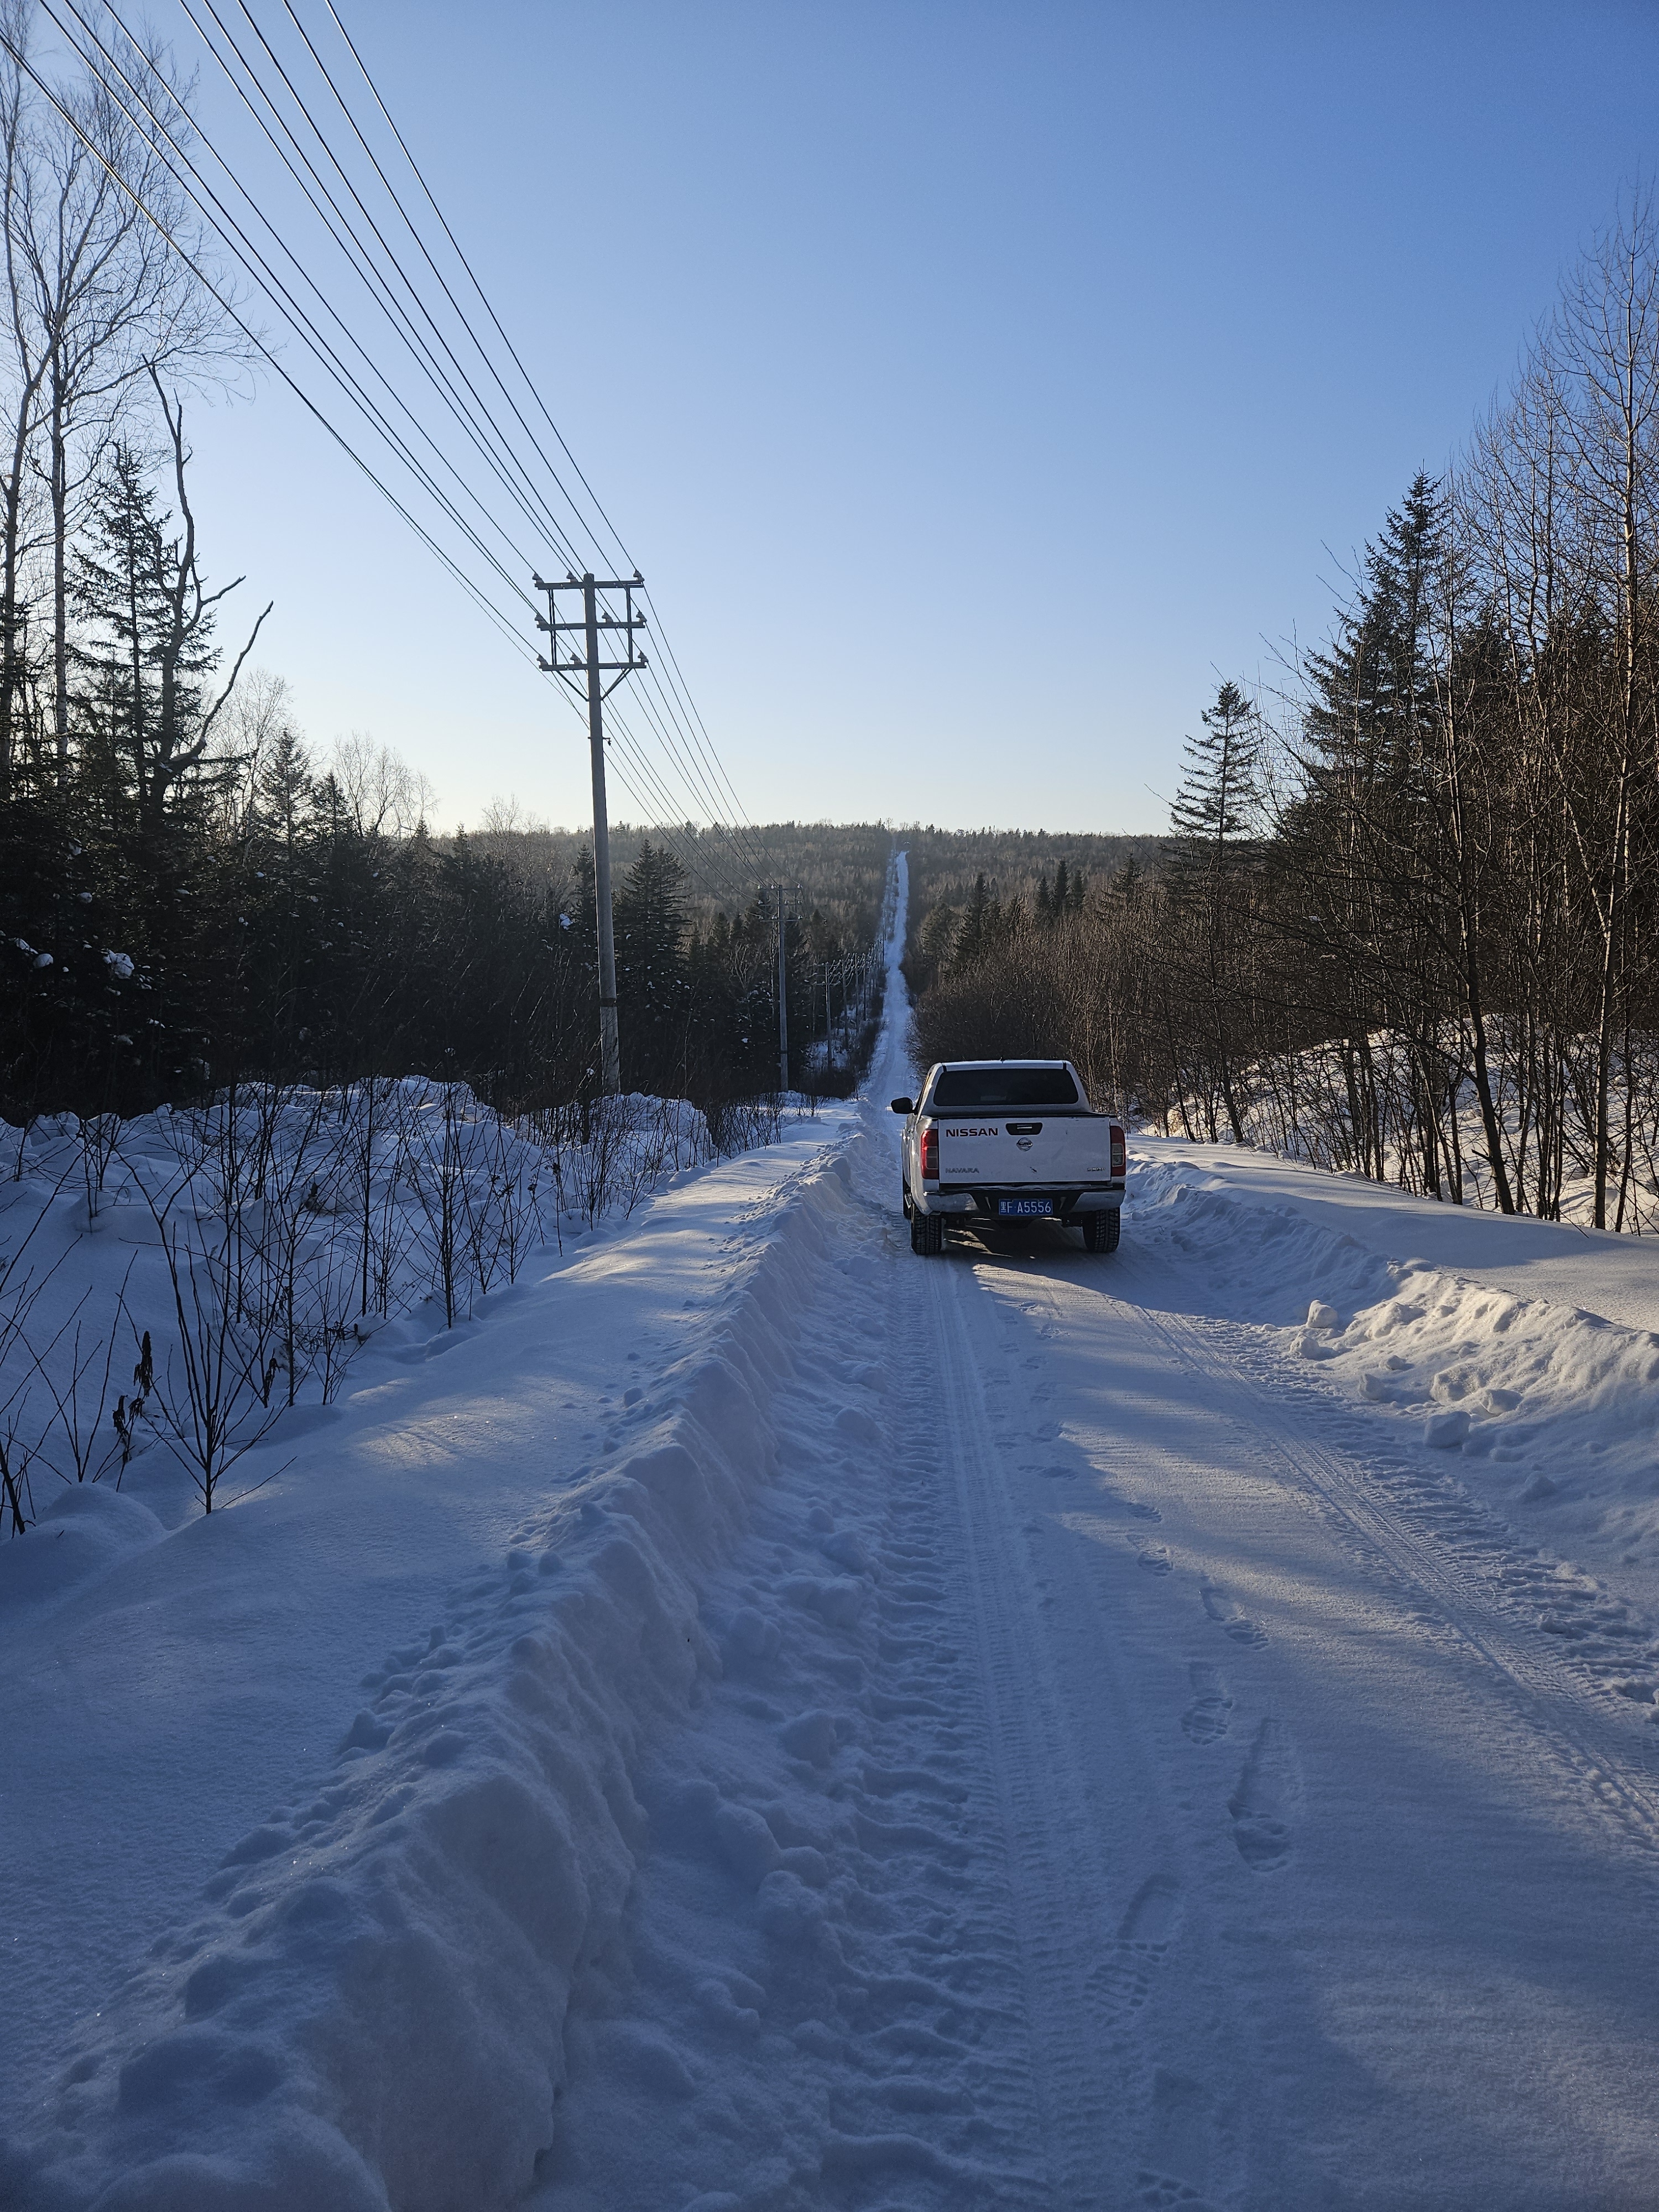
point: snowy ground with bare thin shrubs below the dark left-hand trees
(185, 1277)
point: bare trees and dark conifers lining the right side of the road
(1408, 915)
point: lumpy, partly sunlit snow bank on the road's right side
(1543, 1408)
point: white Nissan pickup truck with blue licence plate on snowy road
(1010, 1140)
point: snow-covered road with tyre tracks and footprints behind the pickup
(1204, 1813)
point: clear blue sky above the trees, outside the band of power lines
(974, 384)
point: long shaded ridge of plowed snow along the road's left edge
(368, 2007)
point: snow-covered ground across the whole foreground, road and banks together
(762, 1720)
